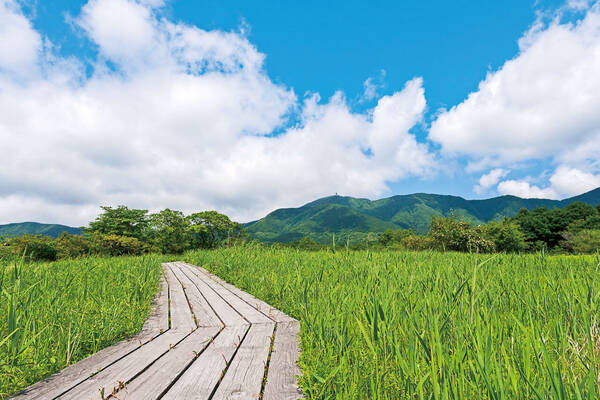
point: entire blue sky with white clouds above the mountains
(245, 107)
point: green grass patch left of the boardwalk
(54, 314)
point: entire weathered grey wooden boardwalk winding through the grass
(206, 339)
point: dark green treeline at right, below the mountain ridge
(573, 229)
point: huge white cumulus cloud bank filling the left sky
(176, 116)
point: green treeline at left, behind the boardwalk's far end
(124, 231)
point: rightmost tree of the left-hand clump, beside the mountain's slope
(208, 228)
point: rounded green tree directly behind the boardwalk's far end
(169, 231)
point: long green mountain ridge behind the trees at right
(352, 218)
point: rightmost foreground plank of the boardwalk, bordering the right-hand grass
(283, 372)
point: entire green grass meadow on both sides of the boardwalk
(374, 325)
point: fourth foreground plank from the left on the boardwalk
(200, 379)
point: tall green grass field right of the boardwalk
(402, 325)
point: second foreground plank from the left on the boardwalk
(124, 370)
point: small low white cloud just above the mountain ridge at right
(564, 182)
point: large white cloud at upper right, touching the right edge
(542, 104)
